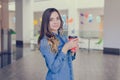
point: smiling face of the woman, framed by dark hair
(54, 22)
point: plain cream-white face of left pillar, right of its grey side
(28, 28)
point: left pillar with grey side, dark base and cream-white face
(24, 21)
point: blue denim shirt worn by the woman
(59, 64)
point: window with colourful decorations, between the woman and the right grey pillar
(91, 27)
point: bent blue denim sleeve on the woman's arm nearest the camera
(54, 61)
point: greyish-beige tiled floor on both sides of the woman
(88, 66)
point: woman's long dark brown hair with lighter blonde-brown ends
(52, 40)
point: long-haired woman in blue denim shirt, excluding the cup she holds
(55, 47)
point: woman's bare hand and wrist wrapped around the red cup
(70, 44)
